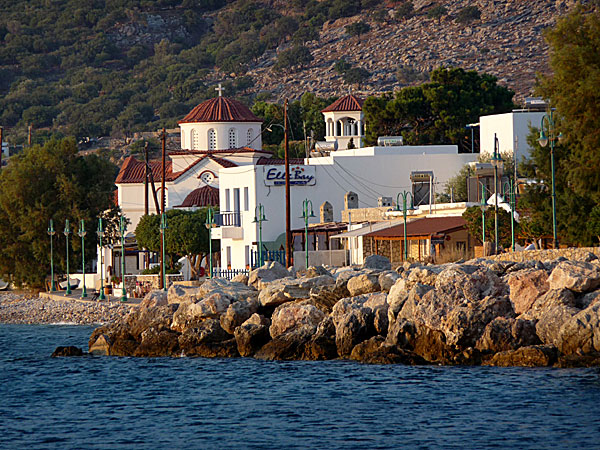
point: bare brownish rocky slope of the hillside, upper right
(507, 41)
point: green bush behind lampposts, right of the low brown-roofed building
(474, 221)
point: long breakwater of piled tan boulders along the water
(483, 311)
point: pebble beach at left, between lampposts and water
(24, 308)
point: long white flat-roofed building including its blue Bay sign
(371, 173)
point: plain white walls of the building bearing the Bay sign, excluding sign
(370, 172)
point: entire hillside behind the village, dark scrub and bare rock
(113, 67)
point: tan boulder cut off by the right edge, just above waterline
(581, 333)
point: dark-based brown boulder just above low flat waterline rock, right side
(503, 334)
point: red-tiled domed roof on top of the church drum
(220, 109)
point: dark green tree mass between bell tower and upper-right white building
(436, 112)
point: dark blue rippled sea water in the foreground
(180, 403)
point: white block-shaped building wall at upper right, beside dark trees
(508, 128)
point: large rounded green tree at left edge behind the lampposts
(50, 182)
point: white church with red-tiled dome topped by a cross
(218, 133)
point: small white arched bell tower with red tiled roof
(344, 122)
